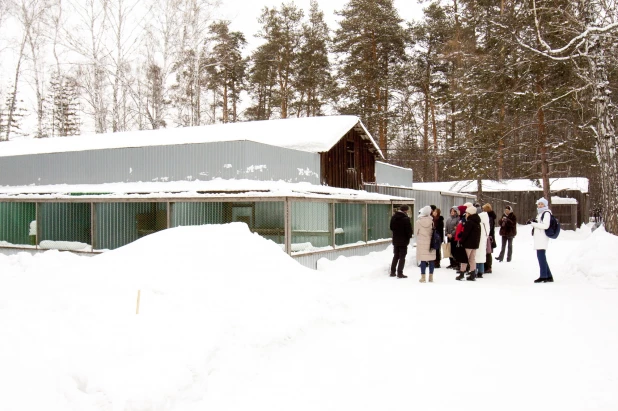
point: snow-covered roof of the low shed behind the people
(470, 186)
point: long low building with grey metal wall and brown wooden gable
(293, 181)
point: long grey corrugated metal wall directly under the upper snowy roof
(203, 161)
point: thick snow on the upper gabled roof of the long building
(312, 134)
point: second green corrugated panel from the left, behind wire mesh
(65, 222)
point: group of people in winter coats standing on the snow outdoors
(470, 231)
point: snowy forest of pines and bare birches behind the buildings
(474, 89)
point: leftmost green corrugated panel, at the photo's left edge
(15, 221)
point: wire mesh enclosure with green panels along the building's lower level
(298, 225)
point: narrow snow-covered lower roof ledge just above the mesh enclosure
(190, 189)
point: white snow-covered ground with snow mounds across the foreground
(227, 321)
